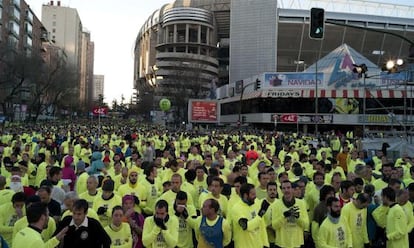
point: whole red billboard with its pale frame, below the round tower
(205, 111)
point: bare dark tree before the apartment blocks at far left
(31, 79)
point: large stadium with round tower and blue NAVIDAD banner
(256, 60)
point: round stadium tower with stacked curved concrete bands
(183, 50)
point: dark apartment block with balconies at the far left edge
(22, 36)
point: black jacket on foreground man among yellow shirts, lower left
(93, 236)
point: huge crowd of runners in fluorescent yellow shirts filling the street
(125, 185)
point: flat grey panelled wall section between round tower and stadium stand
(261, 39)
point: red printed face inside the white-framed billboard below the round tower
(204, 111)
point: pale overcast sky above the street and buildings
(114, 25)
